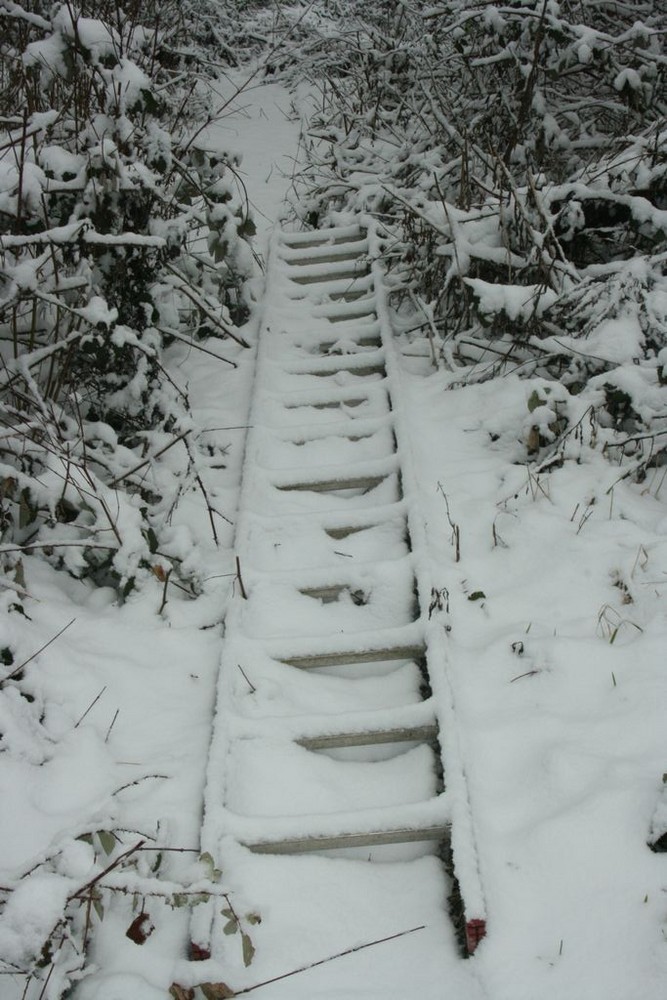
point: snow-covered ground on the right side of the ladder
(557, 656)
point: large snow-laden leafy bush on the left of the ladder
(119, 233)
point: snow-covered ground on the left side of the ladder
(110, 726)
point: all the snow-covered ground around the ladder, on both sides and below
(556, 606)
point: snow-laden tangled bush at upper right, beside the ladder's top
(516, 157)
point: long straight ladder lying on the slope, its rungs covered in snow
(335, 579)
